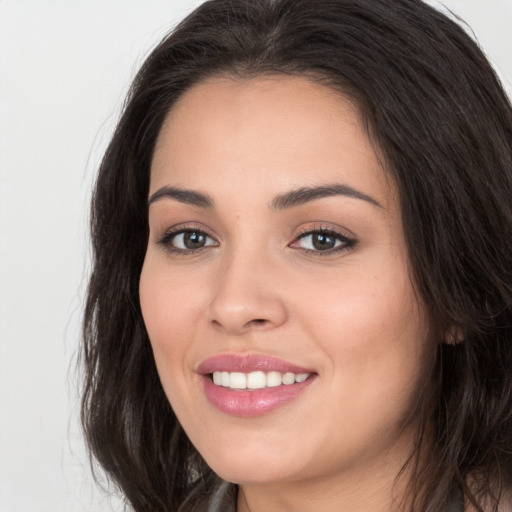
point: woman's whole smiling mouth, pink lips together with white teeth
(252, 385)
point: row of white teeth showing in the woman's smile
(257, 380)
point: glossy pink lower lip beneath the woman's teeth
(250, 403)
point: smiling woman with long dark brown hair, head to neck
(301, 294)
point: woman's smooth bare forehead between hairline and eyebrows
(281, 131)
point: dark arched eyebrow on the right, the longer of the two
(303, 195)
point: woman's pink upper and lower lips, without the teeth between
(256, 402)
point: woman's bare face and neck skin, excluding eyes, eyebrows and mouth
(351, 314)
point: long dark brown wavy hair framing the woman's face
(439, 117)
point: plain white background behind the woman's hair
(65, 67)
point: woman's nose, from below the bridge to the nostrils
(246, 296)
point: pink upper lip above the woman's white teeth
(247, 363)
